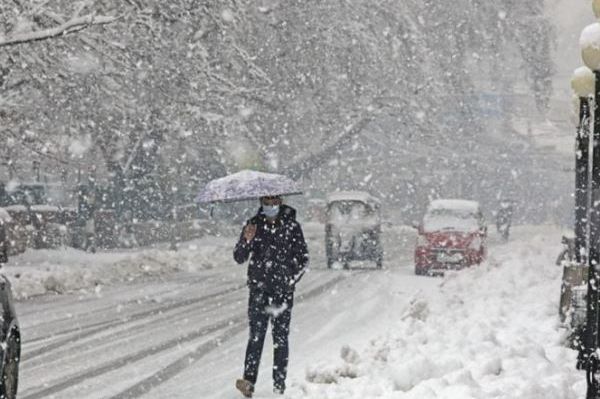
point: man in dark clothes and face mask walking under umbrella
(274, 242)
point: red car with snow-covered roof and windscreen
(452, 236)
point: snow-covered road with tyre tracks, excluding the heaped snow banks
(182, 335)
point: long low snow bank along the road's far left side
(64, 270)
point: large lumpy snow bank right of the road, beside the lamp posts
(490, 332)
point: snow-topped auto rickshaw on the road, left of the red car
(353, 228)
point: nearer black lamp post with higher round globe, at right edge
(590, 53)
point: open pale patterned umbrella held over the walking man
(247, 184)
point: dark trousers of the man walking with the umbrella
(263, 307)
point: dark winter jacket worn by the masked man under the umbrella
(278, 252)
